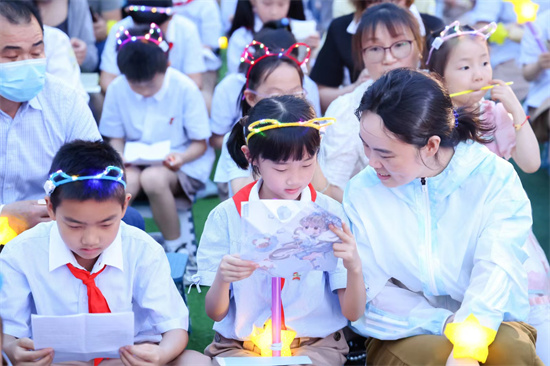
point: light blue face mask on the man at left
(20, 81)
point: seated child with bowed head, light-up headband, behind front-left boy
(151, 102)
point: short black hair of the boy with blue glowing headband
(87, 158)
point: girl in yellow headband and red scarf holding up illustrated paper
(317, 304)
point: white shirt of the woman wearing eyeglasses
(342, 154)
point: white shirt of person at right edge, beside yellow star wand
(540, 87)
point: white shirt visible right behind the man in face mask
(61, 60)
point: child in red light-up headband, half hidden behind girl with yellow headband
(273, 68)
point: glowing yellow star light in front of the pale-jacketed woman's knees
(470, 338)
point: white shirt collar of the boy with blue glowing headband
(60, 254)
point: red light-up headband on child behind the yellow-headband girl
(257, 51)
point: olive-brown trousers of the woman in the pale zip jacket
(513, 345)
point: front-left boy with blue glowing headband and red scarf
(87, 250)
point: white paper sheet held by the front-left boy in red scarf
(83, 337)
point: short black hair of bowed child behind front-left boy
(140, 60)
